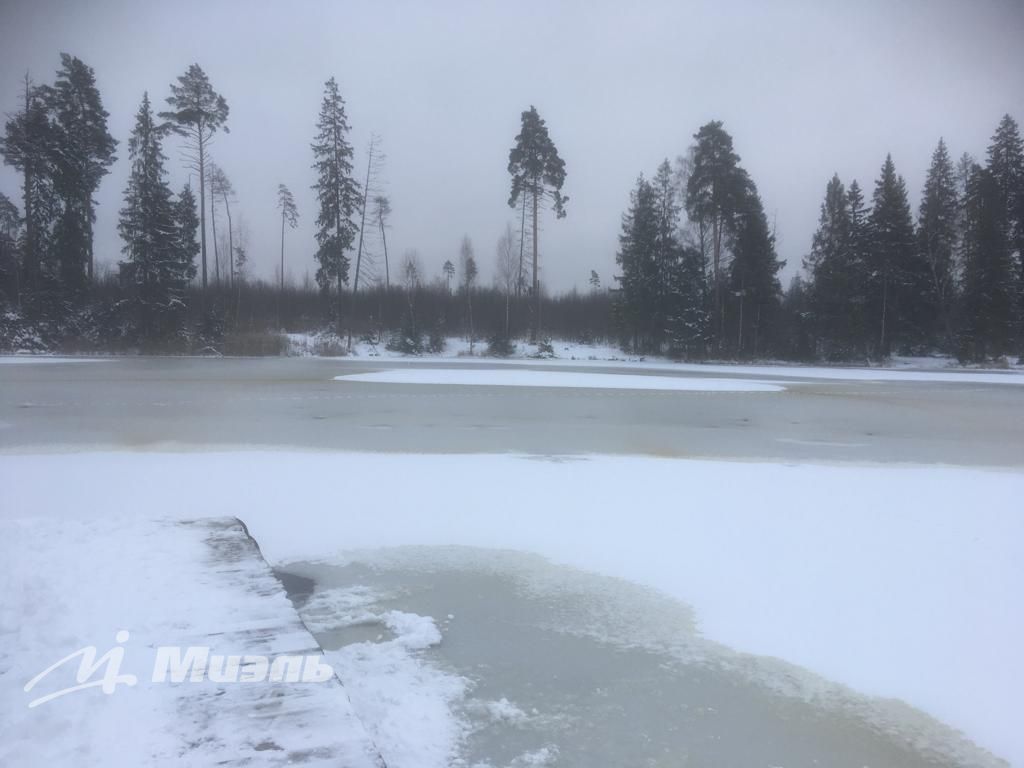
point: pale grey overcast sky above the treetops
(805, 89)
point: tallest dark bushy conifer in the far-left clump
(82, 152)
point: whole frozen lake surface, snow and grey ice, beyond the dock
(537, 664)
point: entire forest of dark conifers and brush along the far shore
(698, 270)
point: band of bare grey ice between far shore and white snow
(153, 403)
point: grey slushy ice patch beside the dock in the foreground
(570, 669)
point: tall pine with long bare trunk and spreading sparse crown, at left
(197, 113)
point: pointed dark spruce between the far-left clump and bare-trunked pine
(159, 260)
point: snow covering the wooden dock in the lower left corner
(79, 579)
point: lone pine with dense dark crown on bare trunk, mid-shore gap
(539, 174)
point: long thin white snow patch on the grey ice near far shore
(528, 378)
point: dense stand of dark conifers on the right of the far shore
(700, 273)
